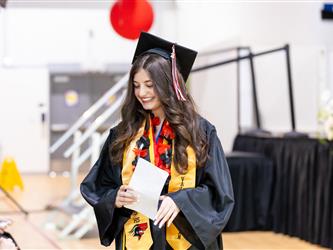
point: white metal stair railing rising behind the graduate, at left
(81, 222)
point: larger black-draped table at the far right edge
(302, 192)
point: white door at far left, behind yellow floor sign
(24, 134)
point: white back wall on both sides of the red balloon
(32, 36)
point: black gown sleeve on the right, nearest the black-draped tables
(205, 210)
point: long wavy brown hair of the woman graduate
(181, 115)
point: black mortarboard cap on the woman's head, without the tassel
(149, 43)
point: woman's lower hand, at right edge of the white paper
(167, 211)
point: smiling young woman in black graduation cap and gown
(160, 124)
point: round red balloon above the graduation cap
(130, 17)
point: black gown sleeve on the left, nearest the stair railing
(99, 189)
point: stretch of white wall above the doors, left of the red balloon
(59, 36)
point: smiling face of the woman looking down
(145, 93)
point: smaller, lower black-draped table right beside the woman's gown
(252, 179)
